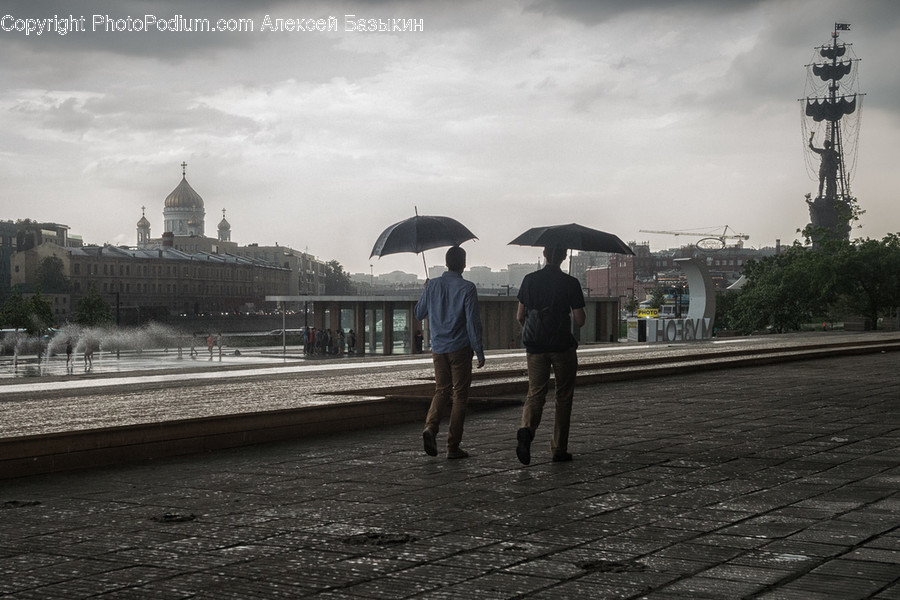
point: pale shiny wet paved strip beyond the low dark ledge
(132, 388)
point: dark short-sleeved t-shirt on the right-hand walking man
(549, 295)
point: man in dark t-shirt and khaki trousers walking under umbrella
(545, 299)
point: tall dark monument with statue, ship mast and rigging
(832, 107)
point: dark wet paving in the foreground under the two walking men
(774, 482)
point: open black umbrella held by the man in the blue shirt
(420, 233)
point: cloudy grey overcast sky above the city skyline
(620, 115)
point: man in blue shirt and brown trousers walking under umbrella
(450, 304)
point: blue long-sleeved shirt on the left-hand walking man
(450, 304)
